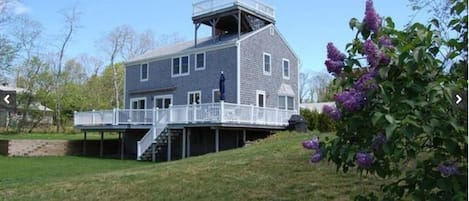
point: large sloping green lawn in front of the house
(274, 169)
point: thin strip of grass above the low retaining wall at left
(55, 136)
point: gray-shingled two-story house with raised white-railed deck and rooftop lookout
(172, 94)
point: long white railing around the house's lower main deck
(202, 113)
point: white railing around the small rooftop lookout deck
(207, 6)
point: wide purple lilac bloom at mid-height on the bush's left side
(352, 100)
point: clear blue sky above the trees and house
(308, 25)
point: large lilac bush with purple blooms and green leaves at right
(394, 112)
